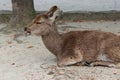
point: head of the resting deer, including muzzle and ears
(42, 23)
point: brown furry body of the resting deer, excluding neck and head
(90, 44)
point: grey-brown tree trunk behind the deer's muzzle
(23, 12)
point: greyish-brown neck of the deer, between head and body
(53, 41)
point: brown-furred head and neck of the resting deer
(42, 26)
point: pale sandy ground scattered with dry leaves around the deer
(28, 59)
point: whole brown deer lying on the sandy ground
(93, 47)
